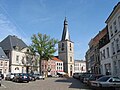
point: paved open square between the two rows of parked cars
(47, 84)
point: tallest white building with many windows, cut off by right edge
(113, 23)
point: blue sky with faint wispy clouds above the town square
(86, 18)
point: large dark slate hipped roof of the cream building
(10, 41)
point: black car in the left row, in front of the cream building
(21, 77)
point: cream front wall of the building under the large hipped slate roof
(21, 63)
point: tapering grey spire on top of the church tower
(65, 34)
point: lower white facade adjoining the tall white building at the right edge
(106, 60)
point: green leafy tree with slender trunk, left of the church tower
(44, 46)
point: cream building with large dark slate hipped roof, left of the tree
(18, 53)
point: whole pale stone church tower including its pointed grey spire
(66, 50)
